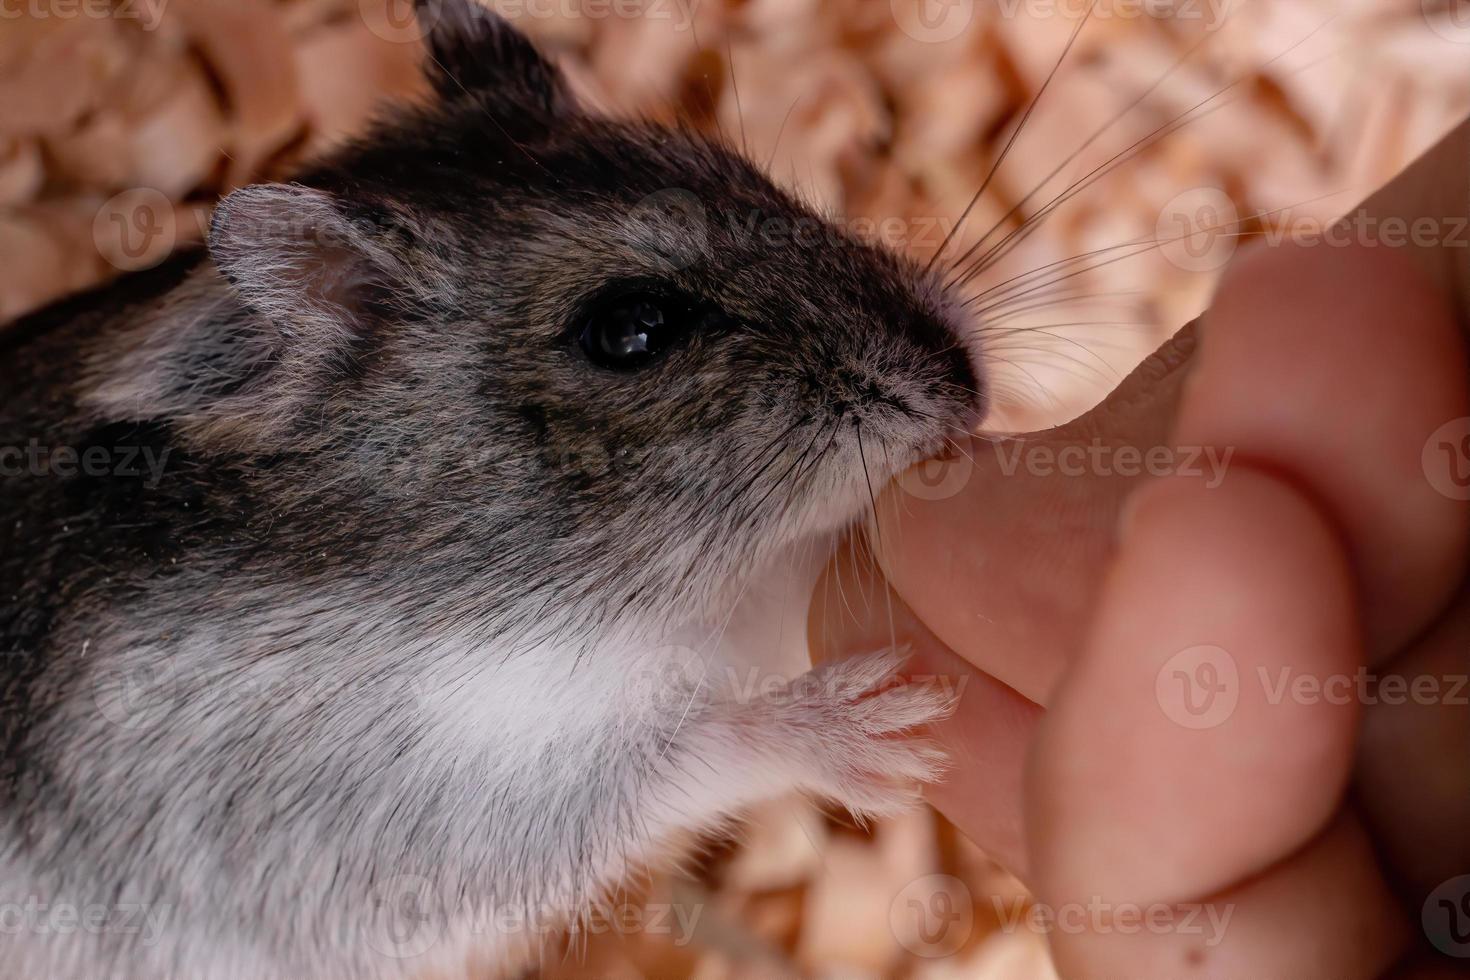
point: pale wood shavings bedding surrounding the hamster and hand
(117, 136)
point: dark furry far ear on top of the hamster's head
(474, 51)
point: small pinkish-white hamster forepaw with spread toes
(858, 722)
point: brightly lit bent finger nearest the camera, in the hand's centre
(1180, 757)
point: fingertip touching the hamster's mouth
(1000, 555)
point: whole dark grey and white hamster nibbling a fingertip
(384, 553)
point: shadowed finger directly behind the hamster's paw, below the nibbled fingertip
(990, 729)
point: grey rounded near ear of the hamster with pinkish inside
(296, 258)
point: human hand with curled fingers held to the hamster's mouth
(1165, 678)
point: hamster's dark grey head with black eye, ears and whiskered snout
(599, 356)
